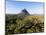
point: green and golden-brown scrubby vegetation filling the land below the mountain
(16, 24)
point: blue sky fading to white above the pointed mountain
(15, 7)
